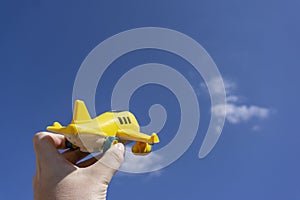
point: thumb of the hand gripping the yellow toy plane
(109, 163)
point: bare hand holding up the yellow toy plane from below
(59, 176)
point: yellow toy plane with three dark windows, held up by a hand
(92, 135)
